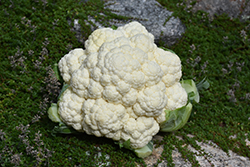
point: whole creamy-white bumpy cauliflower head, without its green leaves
(120, 85)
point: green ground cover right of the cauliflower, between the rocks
(220, 43)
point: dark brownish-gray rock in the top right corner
(234, 8)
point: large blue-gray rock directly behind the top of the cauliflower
(152, 15)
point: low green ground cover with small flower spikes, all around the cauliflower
(35, 35)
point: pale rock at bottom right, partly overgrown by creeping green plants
(218, 157)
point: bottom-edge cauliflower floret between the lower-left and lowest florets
(103, 118)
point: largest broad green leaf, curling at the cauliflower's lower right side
(176, 119)
